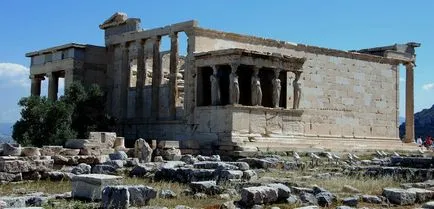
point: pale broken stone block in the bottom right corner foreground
(399, 196)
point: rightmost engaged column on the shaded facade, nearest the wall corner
(173, 84)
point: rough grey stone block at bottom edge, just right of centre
(258, 195)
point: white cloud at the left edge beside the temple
(12, 74)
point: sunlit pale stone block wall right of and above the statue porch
(342, 97)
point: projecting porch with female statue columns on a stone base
(246, 94)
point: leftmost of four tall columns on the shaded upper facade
(125, 74)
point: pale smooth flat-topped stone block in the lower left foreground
(89, 186)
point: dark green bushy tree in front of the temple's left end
(74, 115)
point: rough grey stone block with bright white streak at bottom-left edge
(117, 197)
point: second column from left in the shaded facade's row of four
(141, 76)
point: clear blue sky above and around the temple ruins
(32, 25)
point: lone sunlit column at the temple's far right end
(409, 103)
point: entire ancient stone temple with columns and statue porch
(232, 93)
